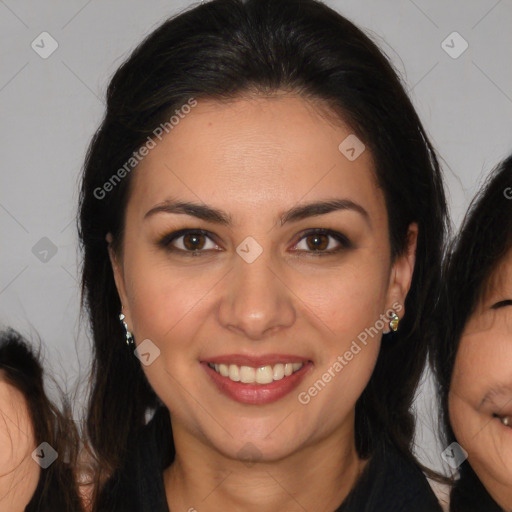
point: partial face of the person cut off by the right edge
(480, 399)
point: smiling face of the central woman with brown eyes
(262, 296)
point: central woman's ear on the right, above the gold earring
(401, 273)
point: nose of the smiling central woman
(257, 300)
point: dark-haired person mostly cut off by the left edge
(34, 477)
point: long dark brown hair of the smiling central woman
(220, 50)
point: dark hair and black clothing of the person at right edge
(485, 237)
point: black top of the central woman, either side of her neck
(389, 483)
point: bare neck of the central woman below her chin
(316, 477)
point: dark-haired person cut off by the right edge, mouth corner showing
(473, 352)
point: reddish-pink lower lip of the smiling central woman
(257, 394)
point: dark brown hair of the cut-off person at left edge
(20, 367)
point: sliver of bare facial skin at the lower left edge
(19, 474)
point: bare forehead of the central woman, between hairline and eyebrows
(256, 153)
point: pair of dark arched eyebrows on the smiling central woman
(217, 216)
